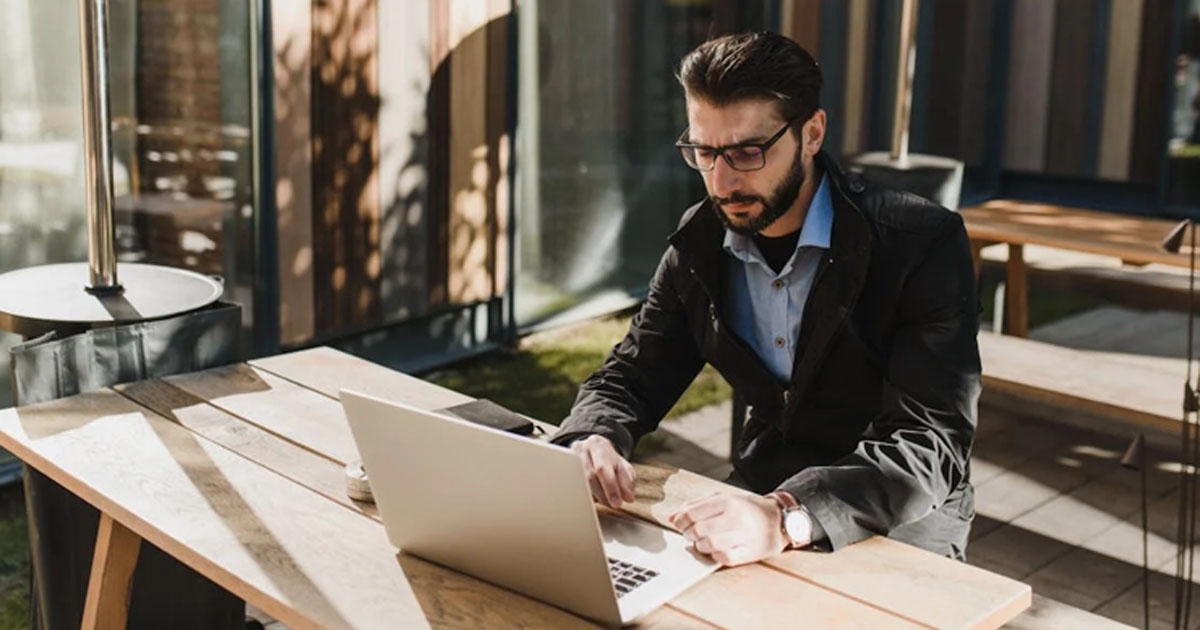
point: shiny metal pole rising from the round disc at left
(98, 151)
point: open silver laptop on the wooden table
(514, 512)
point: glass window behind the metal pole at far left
(181, 104)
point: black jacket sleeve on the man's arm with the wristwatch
(916, 453)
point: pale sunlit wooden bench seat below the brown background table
(1103, 385)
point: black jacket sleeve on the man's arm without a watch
(644, 376)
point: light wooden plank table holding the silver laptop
(238, 472)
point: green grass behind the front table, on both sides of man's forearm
(542, 377)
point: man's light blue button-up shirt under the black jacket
(764, 308)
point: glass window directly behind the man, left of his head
(601, 183)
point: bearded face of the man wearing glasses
(748, 201)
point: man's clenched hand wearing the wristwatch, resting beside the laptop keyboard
(734, 530)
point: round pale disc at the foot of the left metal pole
(40, 299)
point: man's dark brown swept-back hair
(754, 67)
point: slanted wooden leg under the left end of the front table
(112, 577)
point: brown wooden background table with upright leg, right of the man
(1135, 241)
